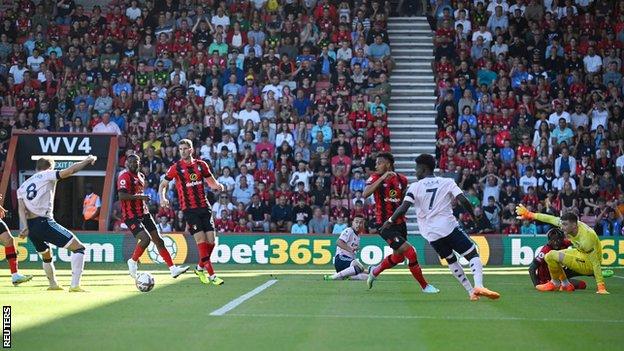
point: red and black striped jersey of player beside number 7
(388, 196)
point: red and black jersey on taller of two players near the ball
(189, 177)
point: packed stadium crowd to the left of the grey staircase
(286, 99)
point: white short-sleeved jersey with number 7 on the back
(432, 197)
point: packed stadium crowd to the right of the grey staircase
(529, 109)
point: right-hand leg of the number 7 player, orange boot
(460, 243)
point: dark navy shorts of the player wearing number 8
(43, 231)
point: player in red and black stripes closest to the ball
(135, 213)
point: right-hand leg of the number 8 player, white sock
(61, 237)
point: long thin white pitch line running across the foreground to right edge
(454, 318)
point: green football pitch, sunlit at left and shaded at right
(292, 308)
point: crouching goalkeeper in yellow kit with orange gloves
(584, 257)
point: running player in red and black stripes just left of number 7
(389, 188)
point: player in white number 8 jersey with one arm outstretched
(36, 213)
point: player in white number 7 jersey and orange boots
(433, 197)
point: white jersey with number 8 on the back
(38, 193)
